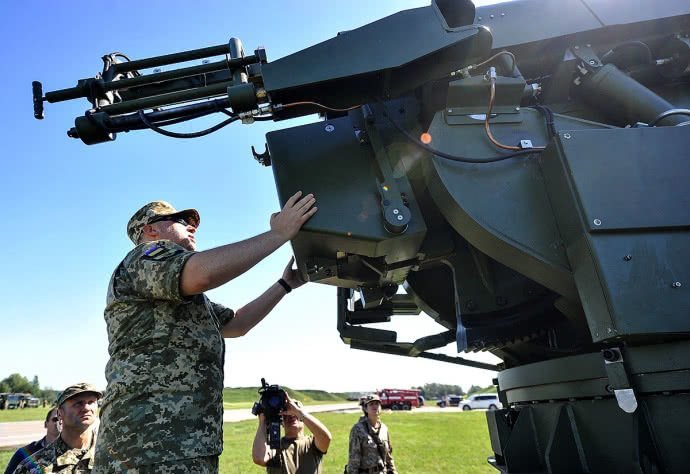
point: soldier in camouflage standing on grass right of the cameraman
(370, 444)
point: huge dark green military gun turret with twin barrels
(520, 170)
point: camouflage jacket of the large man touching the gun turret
(164, 399)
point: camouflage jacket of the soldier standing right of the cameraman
(364, 452)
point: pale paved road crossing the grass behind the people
(20, 433)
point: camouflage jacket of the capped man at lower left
(57, 457)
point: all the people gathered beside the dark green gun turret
(162, 410)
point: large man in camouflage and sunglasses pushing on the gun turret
(163, 408)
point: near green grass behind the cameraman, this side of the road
(423, 443)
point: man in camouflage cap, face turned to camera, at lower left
(73, 450)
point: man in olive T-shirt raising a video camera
(298, 454)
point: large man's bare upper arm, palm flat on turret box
(211, 268)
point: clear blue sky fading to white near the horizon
(66, 204)
